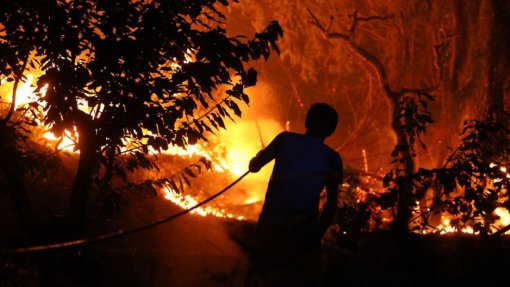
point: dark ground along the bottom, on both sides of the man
(208, 251)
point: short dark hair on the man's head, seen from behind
(321, 119)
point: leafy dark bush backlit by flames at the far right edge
(474, 181)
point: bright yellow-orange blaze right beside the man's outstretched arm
(229, 154)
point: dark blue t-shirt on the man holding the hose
(302, 166)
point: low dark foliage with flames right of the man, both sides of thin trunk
(468, 189)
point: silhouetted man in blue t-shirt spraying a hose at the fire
(290, 227)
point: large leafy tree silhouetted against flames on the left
(123, 79)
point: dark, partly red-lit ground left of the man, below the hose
(189, 251)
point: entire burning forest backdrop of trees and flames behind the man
(104, 98)
